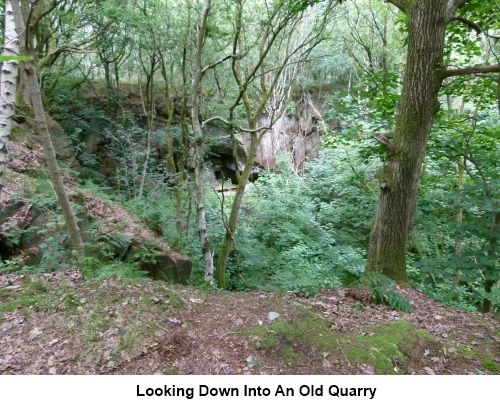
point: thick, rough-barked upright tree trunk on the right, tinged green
(416, 109)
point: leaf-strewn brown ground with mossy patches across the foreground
(61, 323)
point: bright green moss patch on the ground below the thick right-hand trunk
(390, 348)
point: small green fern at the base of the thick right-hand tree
(383, 291)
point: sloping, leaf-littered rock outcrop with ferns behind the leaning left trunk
(111, 231)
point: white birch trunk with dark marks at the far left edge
(8, 84)
